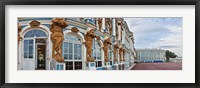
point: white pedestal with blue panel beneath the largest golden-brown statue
(57, 65)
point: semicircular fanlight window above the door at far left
(36, 33)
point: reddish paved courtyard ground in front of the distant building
(158, 66)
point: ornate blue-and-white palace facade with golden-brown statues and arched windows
(75, 44)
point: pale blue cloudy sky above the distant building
(157, 32)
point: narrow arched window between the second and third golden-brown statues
(96, 53)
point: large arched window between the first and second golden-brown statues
(72, 52)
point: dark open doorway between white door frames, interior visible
(41, 49)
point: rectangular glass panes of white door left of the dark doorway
(28, 48)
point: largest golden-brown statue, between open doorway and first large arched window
(57, 37)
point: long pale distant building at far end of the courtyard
(150, 55)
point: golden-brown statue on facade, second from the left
(89, 37)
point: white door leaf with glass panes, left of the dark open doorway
(29, 55)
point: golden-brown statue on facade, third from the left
(106, 44)
